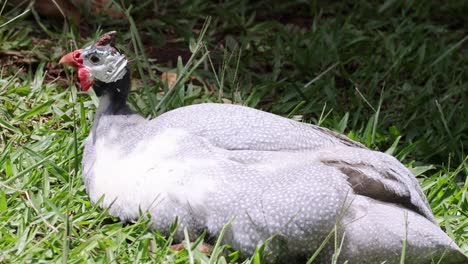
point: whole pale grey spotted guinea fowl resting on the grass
(207, 164)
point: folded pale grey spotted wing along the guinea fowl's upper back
(235, 128)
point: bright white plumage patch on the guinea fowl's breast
(160, 170)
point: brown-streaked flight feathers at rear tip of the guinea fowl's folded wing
(379, 176)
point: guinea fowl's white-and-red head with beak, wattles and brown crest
(100, 62)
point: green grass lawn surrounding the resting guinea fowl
(392, 76)
